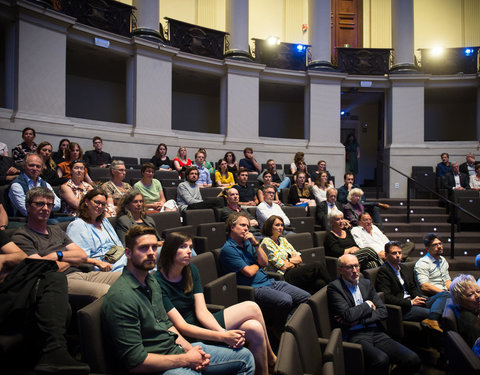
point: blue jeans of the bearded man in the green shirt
(223, 360)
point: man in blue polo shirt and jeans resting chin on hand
(243, 255)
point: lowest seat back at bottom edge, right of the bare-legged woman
(288, 358)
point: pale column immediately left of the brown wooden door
(319, 33)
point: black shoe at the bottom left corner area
(59, 361)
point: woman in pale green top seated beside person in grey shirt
(152, 191)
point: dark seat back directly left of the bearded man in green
(91, 340)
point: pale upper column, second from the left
(237, 27)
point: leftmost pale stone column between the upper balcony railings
(147, 20)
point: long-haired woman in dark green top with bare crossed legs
(185, 305)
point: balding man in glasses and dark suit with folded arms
(356, 308)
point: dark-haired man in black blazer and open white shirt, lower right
(399, 289)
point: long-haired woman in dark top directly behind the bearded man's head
(130, 212)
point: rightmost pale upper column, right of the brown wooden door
(402, 35)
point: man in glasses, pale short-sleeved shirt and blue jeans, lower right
(432, 276)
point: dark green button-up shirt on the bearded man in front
(133, 325)
